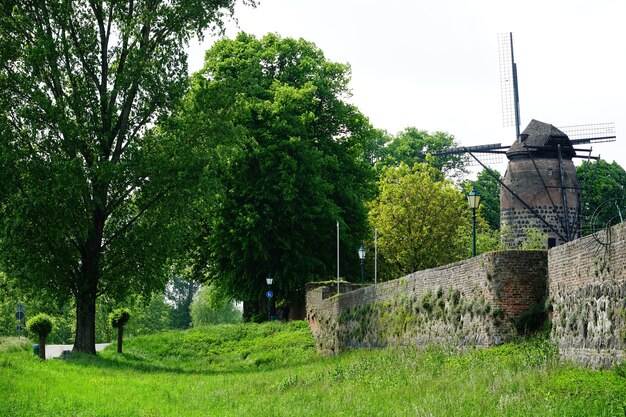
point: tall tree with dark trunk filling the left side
(92, 203)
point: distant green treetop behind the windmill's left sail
(411, 146)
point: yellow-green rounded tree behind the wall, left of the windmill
(421, 221)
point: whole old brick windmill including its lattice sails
(540, 188)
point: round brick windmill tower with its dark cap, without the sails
(540, 189)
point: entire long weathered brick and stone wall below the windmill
(476, 302)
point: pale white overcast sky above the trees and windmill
(434, 64)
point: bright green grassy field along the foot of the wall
(273, 370)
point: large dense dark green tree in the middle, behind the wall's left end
(301, 164)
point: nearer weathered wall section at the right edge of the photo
(587, 286)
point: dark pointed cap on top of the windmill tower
(541, 140)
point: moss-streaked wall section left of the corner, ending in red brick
(468, 303)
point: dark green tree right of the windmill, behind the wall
(603, 199)
